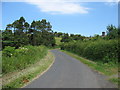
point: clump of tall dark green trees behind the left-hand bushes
(21, 33)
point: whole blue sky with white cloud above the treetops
(86, 18)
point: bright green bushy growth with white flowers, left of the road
(18, 59)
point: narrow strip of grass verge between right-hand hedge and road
(109, 70)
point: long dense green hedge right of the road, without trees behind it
(102, 50)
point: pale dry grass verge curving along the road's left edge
(24, 77)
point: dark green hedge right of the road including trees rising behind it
(97, 48)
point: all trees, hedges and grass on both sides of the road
(26, 45)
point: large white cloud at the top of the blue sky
(59, 6)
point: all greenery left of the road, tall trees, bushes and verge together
(24, 51)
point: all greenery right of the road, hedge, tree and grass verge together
(102, 51)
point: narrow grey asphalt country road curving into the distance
(67, 72)
